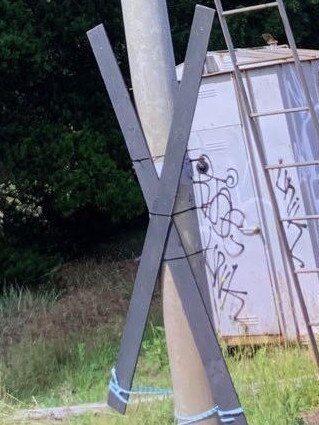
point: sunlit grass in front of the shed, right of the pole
(276, 385)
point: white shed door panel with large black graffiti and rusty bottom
(237, 268)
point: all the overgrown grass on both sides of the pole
(275, 384)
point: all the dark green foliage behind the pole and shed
(66, 179)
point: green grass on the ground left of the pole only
(76, 371)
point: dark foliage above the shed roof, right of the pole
(246, 29)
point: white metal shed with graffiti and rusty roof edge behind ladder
(250, 292)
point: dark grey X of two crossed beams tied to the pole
(165, 234)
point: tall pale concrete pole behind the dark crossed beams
(153, 75)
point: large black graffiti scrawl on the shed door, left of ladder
(224, 221)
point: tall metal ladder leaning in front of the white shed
(251, 124)
